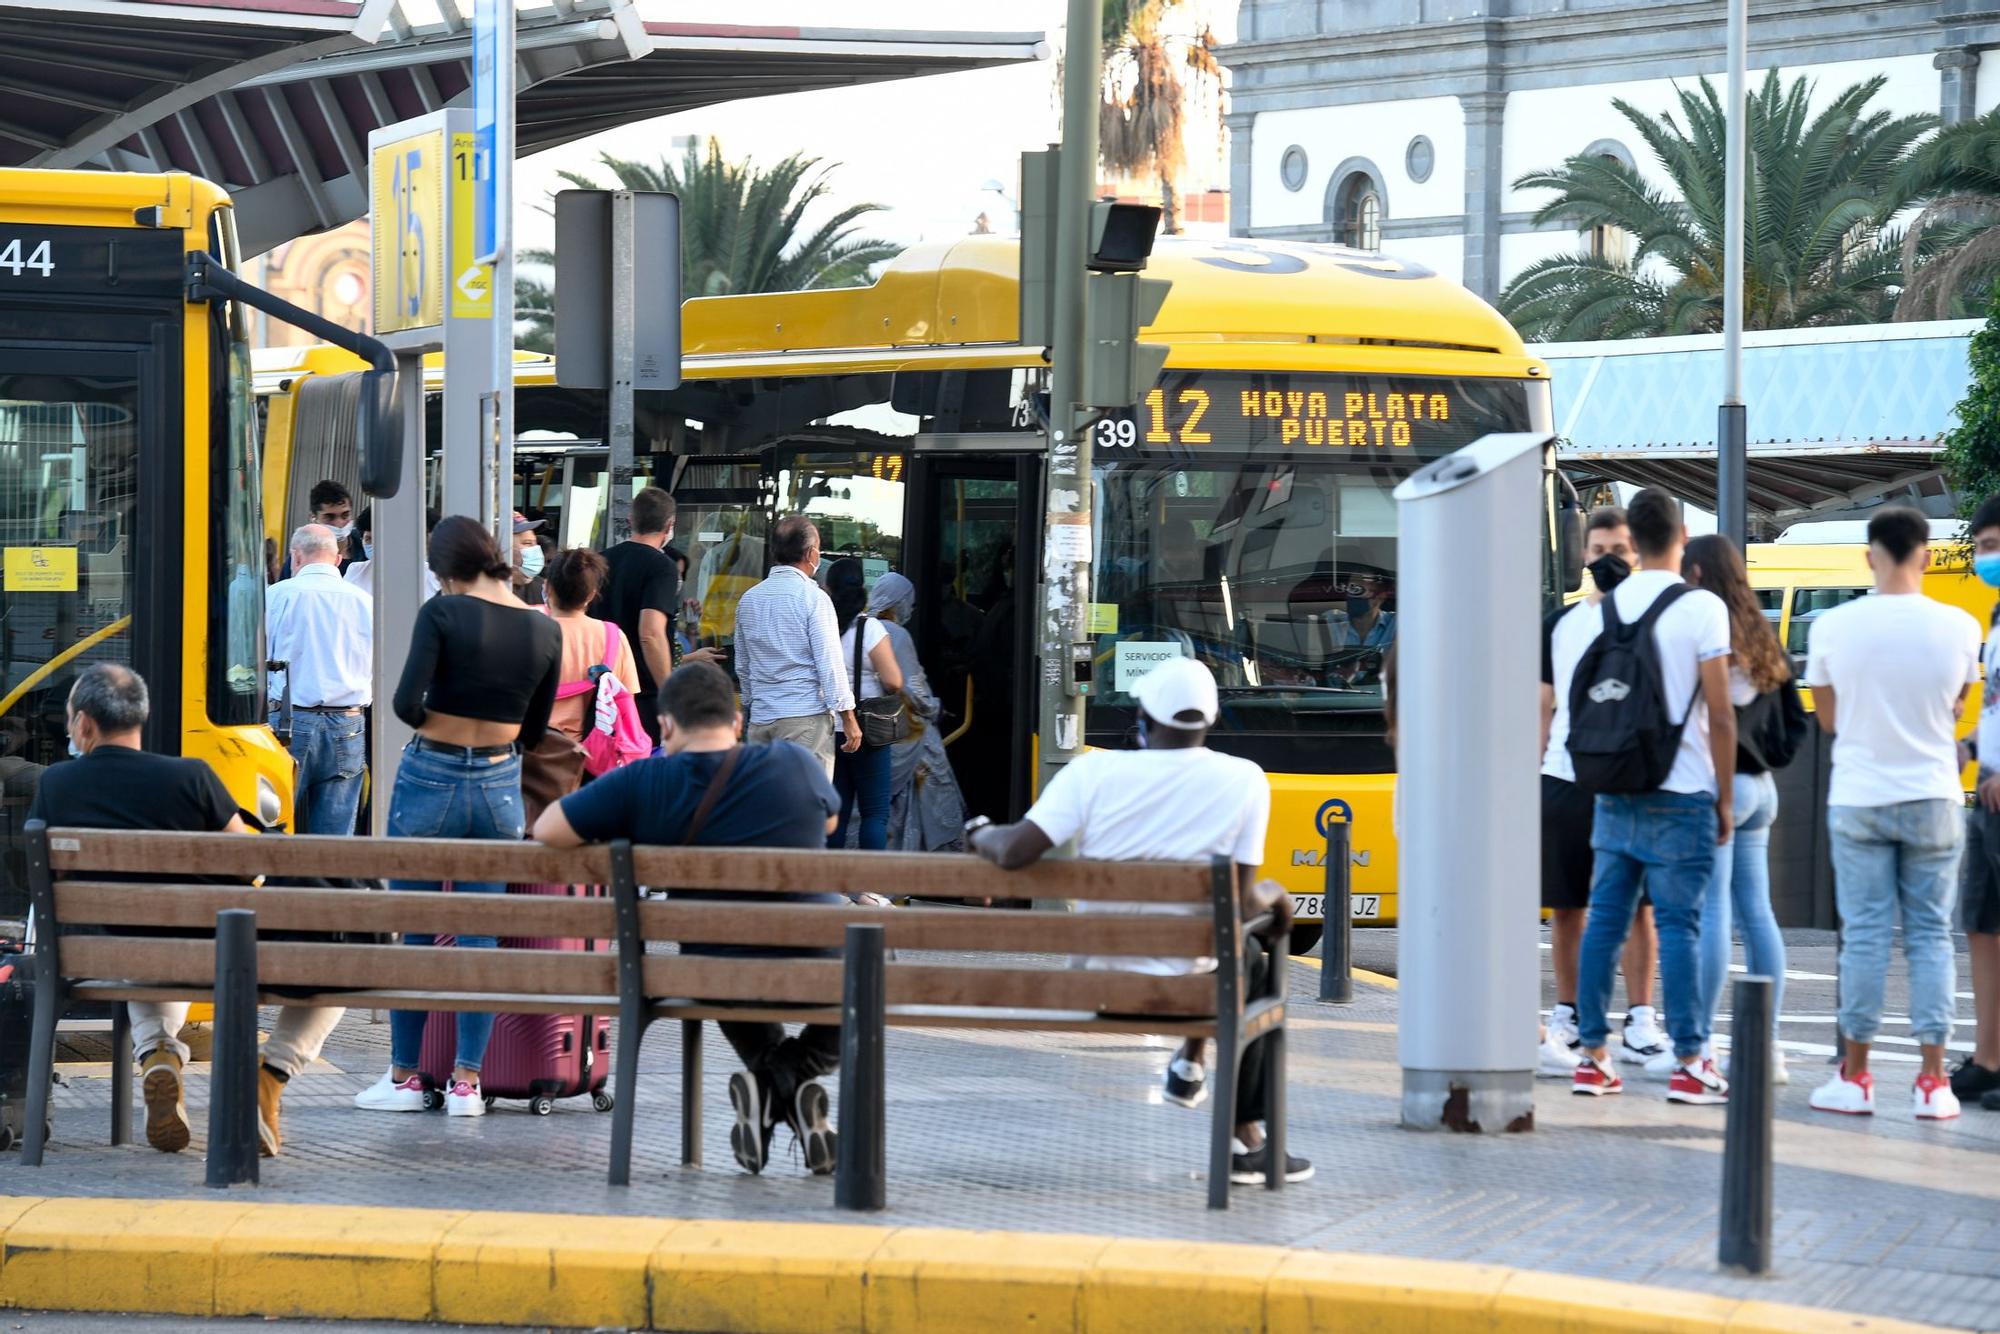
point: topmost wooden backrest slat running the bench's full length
(689, 869)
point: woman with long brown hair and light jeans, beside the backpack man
(1743, 865)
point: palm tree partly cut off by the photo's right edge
(1951, 251)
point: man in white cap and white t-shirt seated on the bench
(1171, 801)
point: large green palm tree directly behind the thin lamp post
(1815, 245)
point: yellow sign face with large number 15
(407, 201)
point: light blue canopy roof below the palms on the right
(1837, 417)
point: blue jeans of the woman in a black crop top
(451, 797)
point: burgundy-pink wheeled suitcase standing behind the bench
(533, 1057)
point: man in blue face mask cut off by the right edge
(1979, 879)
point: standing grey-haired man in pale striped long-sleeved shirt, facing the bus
(789, 651)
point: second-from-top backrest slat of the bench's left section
(295, 909)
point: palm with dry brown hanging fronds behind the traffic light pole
(1143, 121)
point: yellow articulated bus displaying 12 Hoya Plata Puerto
(1243, 507)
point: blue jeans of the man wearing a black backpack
(1665, 843)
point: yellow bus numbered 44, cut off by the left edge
(131, 489)
